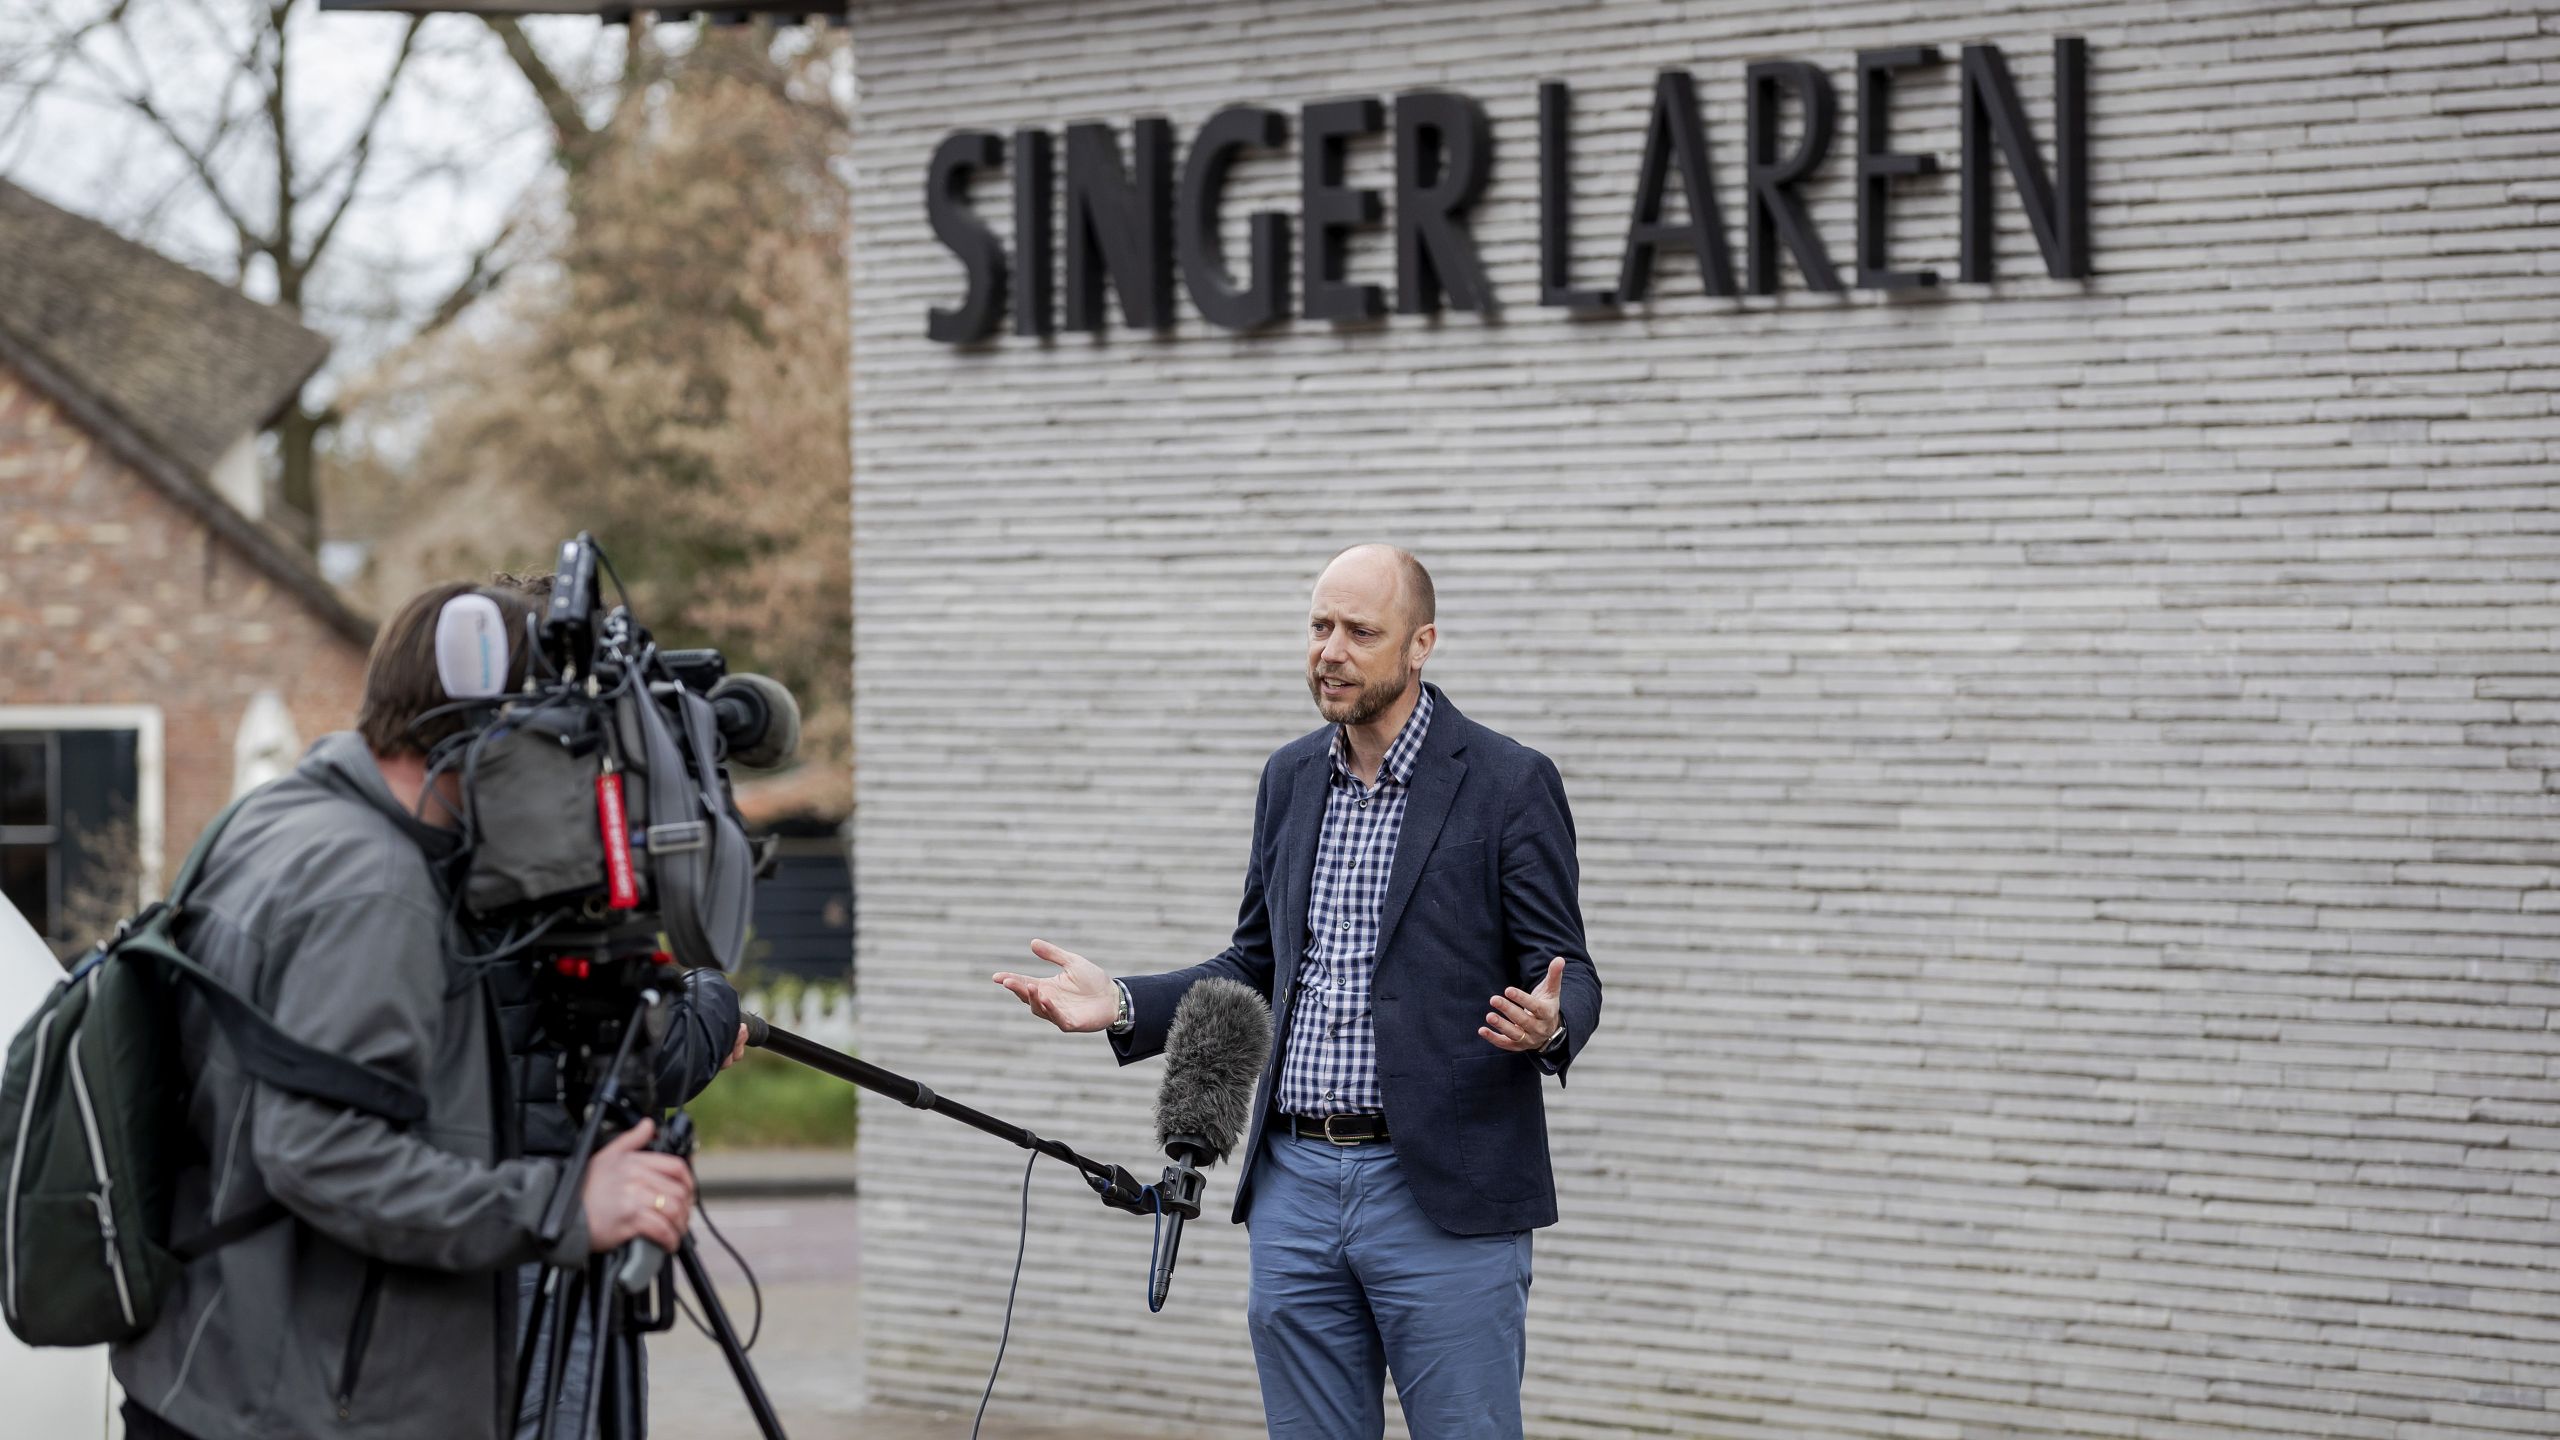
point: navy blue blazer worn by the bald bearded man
(1484, 896)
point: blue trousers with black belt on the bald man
(1353, 1282)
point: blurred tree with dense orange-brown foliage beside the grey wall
(672, 378)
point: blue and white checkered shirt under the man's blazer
(1332, 1039)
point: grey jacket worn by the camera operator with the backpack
(385, 1305)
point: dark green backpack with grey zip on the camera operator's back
(93, 1129)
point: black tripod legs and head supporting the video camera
(623, 1295)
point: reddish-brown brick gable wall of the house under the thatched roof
(116, 596)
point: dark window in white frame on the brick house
(70, 847)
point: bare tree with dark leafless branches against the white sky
(275, 155)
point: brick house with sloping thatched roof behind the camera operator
(163, 644)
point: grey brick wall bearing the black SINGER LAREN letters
(2067, 773)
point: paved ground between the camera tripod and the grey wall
(805, 1252)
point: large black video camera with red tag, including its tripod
(603, 849)
